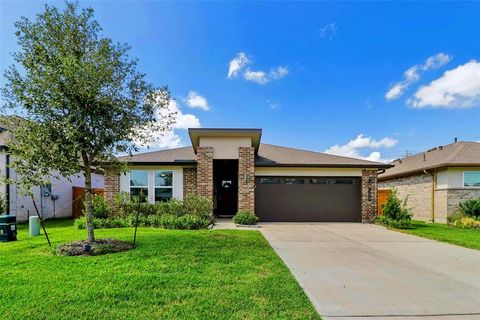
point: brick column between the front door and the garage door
(246, 178)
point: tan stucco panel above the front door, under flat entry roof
(225, 147)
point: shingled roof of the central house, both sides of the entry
(268, 155)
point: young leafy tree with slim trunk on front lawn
(82, 98)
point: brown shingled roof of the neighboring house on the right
(457, 154)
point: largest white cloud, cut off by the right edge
(457, 88)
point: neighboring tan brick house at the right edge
(435, 181)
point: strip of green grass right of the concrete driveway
(469, 238)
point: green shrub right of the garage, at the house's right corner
(396, 214)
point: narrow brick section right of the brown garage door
(369, 195)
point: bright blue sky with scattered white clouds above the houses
(373, 80)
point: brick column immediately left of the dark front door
(205, 172)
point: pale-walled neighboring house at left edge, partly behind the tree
(61, 190)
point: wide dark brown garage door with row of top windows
(325, 199)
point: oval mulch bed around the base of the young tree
(99, 247)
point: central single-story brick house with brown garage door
(237, 172)
